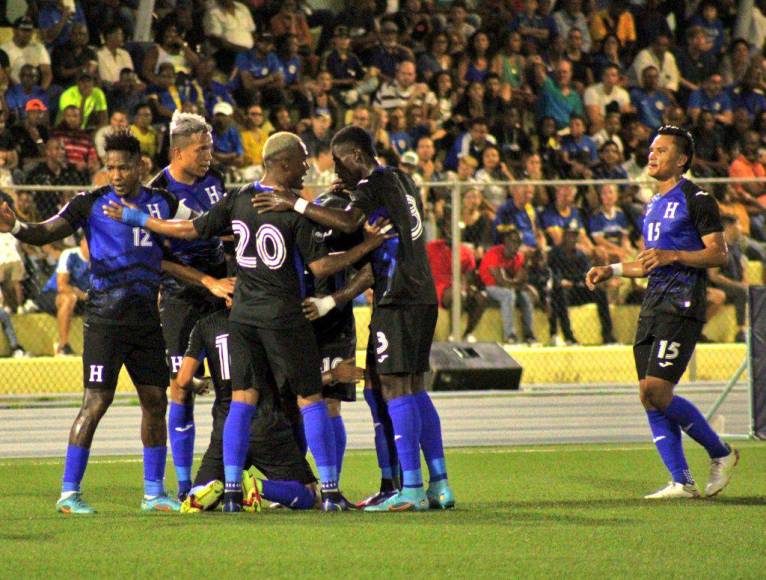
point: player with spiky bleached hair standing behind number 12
(197, 186)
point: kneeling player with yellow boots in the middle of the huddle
(272, 449)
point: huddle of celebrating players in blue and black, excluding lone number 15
(277, 327)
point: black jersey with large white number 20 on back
(272, 251)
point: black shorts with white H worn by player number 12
(107, 347)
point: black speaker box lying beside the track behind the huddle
(464, 366)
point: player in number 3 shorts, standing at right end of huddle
(404, 312)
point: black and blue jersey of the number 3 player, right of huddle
(400, 265)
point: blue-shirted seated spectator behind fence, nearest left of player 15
(609, 227)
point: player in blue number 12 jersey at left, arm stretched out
(122, 323)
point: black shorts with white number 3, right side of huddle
(400, 339)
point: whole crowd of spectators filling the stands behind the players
(474, 92)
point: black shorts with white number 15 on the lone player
(664, 344)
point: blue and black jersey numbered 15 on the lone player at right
(677, 220)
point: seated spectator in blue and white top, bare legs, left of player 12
(66, 292)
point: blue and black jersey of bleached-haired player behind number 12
(204, 255)
